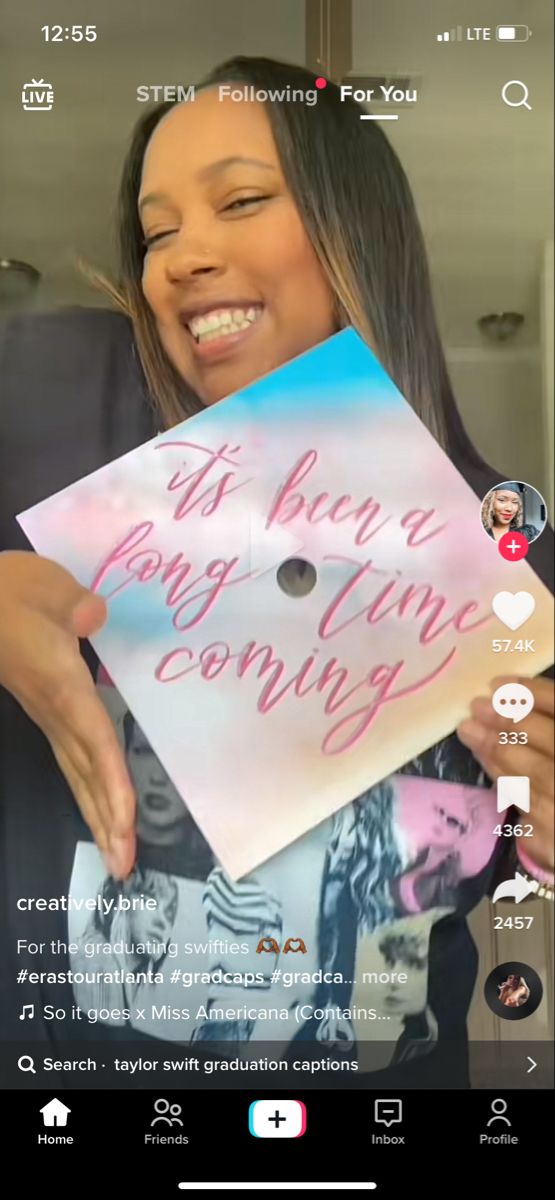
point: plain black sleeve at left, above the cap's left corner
(73, 399)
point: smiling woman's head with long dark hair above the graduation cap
(299, 219)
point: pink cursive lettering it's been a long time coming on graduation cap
(190, 596)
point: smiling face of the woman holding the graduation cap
(230, 274)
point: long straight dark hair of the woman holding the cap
(359, 212)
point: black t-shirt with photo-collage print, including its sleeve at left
(362, 921)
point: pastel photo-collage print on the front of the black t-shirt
(329, 941)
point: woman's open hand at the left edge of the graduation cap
(44, 613)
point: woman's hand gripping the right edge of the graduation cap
(535, 759)
